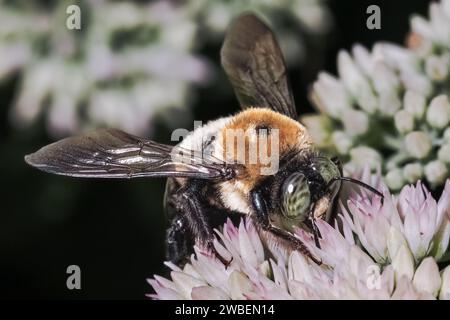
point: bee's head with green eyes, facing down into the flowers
(309, 191)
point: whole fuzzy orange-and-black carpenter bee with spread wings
(210, 178)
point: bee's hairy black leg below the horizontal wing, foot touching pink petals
(197, 220)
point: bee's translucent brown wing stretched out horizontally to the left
(110, 153)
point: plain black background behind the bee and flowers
(114, 230)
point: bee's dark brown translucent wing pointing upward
(255, 66)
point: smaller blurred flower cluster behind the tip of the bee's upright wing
(312, 16)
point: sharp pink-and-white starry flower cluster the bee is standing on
(378, 250)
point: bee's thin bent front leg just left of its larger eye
(262, 218)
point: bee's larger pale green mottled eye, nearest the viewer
(296, 196)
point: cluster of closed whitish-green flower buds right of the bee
(390, 106)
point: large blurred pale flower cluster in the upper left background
(127, 62)
